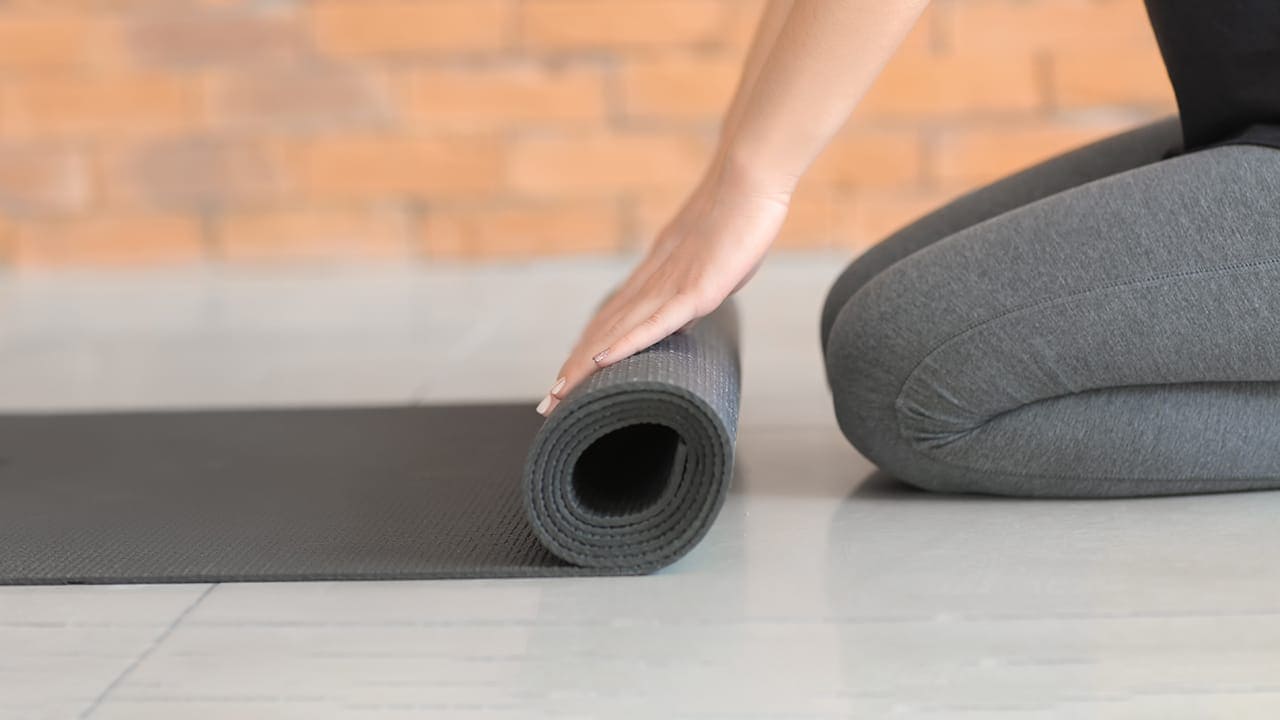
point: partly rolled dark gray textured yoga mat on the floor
(625, 479)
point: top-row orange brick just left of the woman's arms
(610, 25)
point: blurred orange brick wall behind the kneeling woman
(172, 131)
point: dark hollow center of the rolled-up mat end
(627, 471)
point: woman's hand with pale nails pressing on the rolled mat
(703, 256)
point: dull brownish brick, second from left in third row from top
(199, 174)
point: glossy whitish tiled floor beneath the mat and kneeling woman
(824, 591)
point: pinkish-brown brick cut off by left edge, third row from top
(43, 181)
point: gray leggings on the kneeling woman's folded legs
(1104, 325)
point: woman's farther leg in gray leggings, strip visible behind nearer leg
(1109, 157)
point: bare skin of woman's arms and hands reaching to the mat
(810, 65)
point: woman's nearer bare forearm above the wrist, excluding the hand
(826, 56)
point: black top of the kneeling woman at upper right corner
(1224, 61)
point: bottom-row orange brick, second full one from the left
(314, 235)
